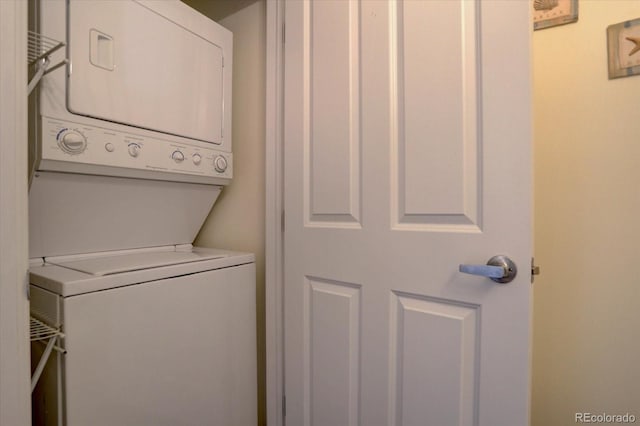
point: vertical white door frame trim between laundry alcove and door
(274, 212)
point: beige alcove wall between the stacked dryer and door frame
(237, 219)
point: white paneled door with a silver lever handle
(407, 153)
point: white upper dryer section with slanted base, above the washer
(130, 142)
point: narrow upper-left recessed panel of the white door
(331, 117)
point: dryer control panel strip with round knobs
(79, 143)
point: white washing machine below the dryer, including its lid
(162, 336)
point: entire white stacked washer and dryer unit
(130, 147)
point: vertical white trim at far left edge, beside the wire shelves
(15, 387)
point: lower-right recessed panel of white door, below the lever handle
(445, 333)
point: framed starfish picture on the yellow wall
(623, 44)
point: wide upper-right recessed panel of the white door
(435, 112)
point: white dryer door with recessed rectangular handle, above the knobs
(159, 69)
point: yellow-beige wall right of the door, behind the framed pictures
(586, 349)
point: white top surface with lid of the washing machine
(76, 275)
